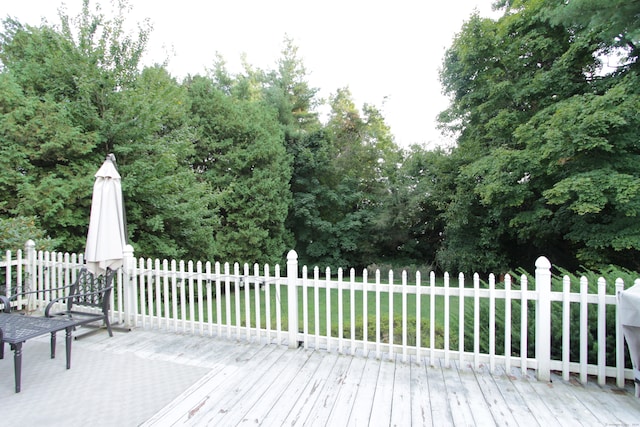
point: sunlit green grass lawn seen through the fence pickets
(232, 306)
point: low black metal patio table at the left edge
(16, 328)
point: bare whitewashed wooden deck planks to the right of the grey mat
(272, 385)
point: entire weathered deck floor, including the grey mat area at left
(219, 382)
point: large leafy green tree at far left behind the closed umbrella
(75, 94)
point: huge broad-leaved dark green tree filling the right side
(530, 102)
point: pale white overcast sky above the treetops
(381, 50)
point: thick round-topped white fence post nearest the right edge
(543, 318)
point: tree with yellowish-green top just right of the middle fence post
(338, 185)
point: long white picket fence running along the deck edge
(325, 310)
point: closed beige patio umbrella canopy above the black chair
(106, 238)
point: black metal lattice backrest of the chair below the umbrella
(91, 291)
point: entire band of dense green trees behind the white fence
(240, 167)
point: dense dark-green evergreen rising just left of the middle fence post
(239, 151)
